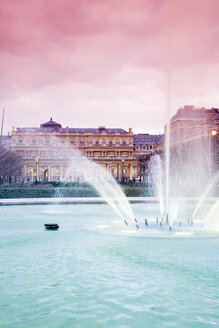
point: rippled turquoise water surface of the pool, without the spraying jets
(94, 272)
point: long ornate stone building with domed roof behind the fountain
(48, 149)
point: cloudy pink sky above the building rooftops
(105, 62)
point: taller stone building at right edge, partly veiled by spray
(194, 140)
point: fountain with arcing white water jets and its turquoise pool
(99, 271)
